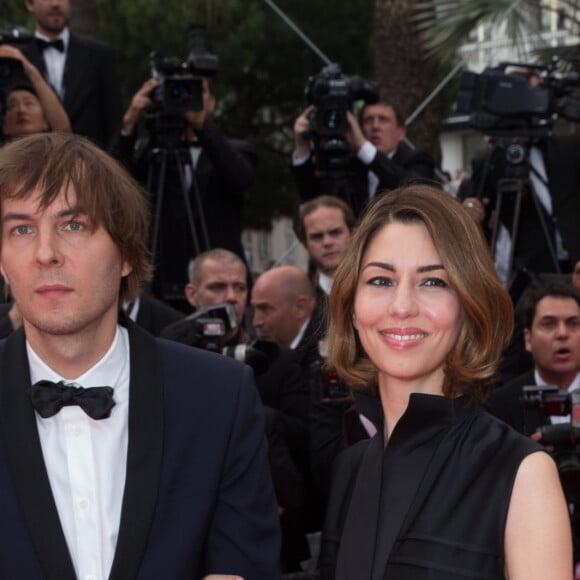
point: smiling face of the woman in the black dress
(406, 314)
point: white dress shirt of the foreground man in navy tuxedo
(86, 461)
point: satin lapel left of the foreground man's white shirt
(27, 464)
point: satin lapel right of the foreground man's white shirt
(144, 454)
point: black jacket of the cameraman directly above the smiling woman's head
(404, 167)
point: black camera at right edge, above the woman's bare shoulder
(542, 402)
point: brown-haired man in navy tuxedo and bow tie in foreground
(163, 472)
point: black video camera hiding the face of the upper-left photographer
(179, 87)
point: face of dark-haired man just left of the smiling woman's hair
(327, 237)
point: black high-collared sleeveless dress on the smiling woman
(432, 504)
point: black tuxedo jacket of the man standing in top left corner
(92, 93)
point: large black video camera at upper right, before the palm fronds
(502, 104)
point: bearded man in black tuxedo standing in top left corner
(81, 71)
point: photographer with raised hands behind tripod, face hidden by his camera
(217, 172)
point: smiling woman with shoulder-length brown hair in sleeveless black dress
(444, 491)
